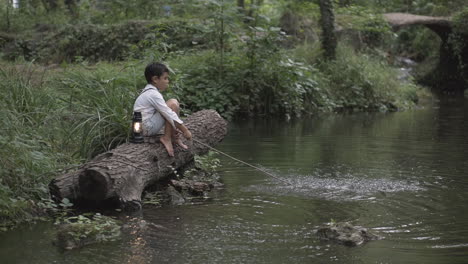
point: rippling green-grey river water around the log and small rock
(402, 175)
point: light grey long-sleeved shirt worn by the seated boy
(150, 102)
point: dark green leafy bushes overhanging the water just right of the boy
(272, 85)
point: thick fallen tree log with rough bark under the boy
(123, 173)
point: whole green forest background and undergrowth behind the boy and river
(70, 71)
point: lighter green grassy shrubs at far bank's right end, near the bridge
(365, 83)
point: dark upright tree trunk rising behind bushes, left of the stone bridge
(327, 20)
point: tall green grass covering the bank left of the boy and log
(52, 120)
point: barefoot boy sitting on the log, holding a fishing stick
(157, 113)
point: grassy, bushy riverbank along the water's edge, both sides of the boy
(55, 117)
